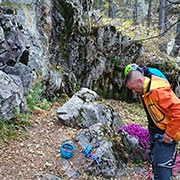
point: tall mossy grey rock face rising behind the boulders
(63, 45)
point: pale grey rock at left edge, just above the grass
(12, 98)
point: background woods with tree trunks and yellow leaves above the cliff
(147, 16)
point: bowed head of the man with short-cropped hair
(135, 81)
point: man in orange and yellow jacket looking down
(163, 111)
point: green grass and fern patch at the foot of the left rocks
(15, 128)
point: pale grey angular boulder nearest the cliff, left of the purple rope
(85, 109)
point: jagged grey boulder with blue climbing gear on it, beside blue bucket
(106, 156)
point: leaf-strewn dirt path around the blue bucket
(37, 152)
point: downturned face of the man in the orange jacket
(135, 86)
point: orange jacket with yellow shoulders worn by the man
(163, 106)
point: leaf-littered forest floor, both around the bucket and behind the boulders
(36, 153)
